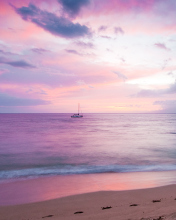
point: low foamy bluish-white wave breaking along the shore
(81, 169)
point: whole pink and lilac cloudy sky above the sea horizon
(115, 56)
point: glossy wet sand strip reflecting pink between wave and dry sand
(47, 188)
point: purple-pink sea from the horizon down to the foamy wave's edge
(37, 145)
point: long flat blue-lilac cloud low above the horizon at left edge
(6, 100)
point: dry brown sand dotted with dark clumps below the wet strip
(144, 204)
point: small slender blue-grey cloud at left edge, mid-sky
(19, 63)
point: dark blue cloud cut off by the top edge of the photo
(73, 7)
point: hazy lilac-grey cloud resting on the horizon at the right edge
(168, 106)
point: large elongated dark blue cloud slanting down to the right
(58, 26)
